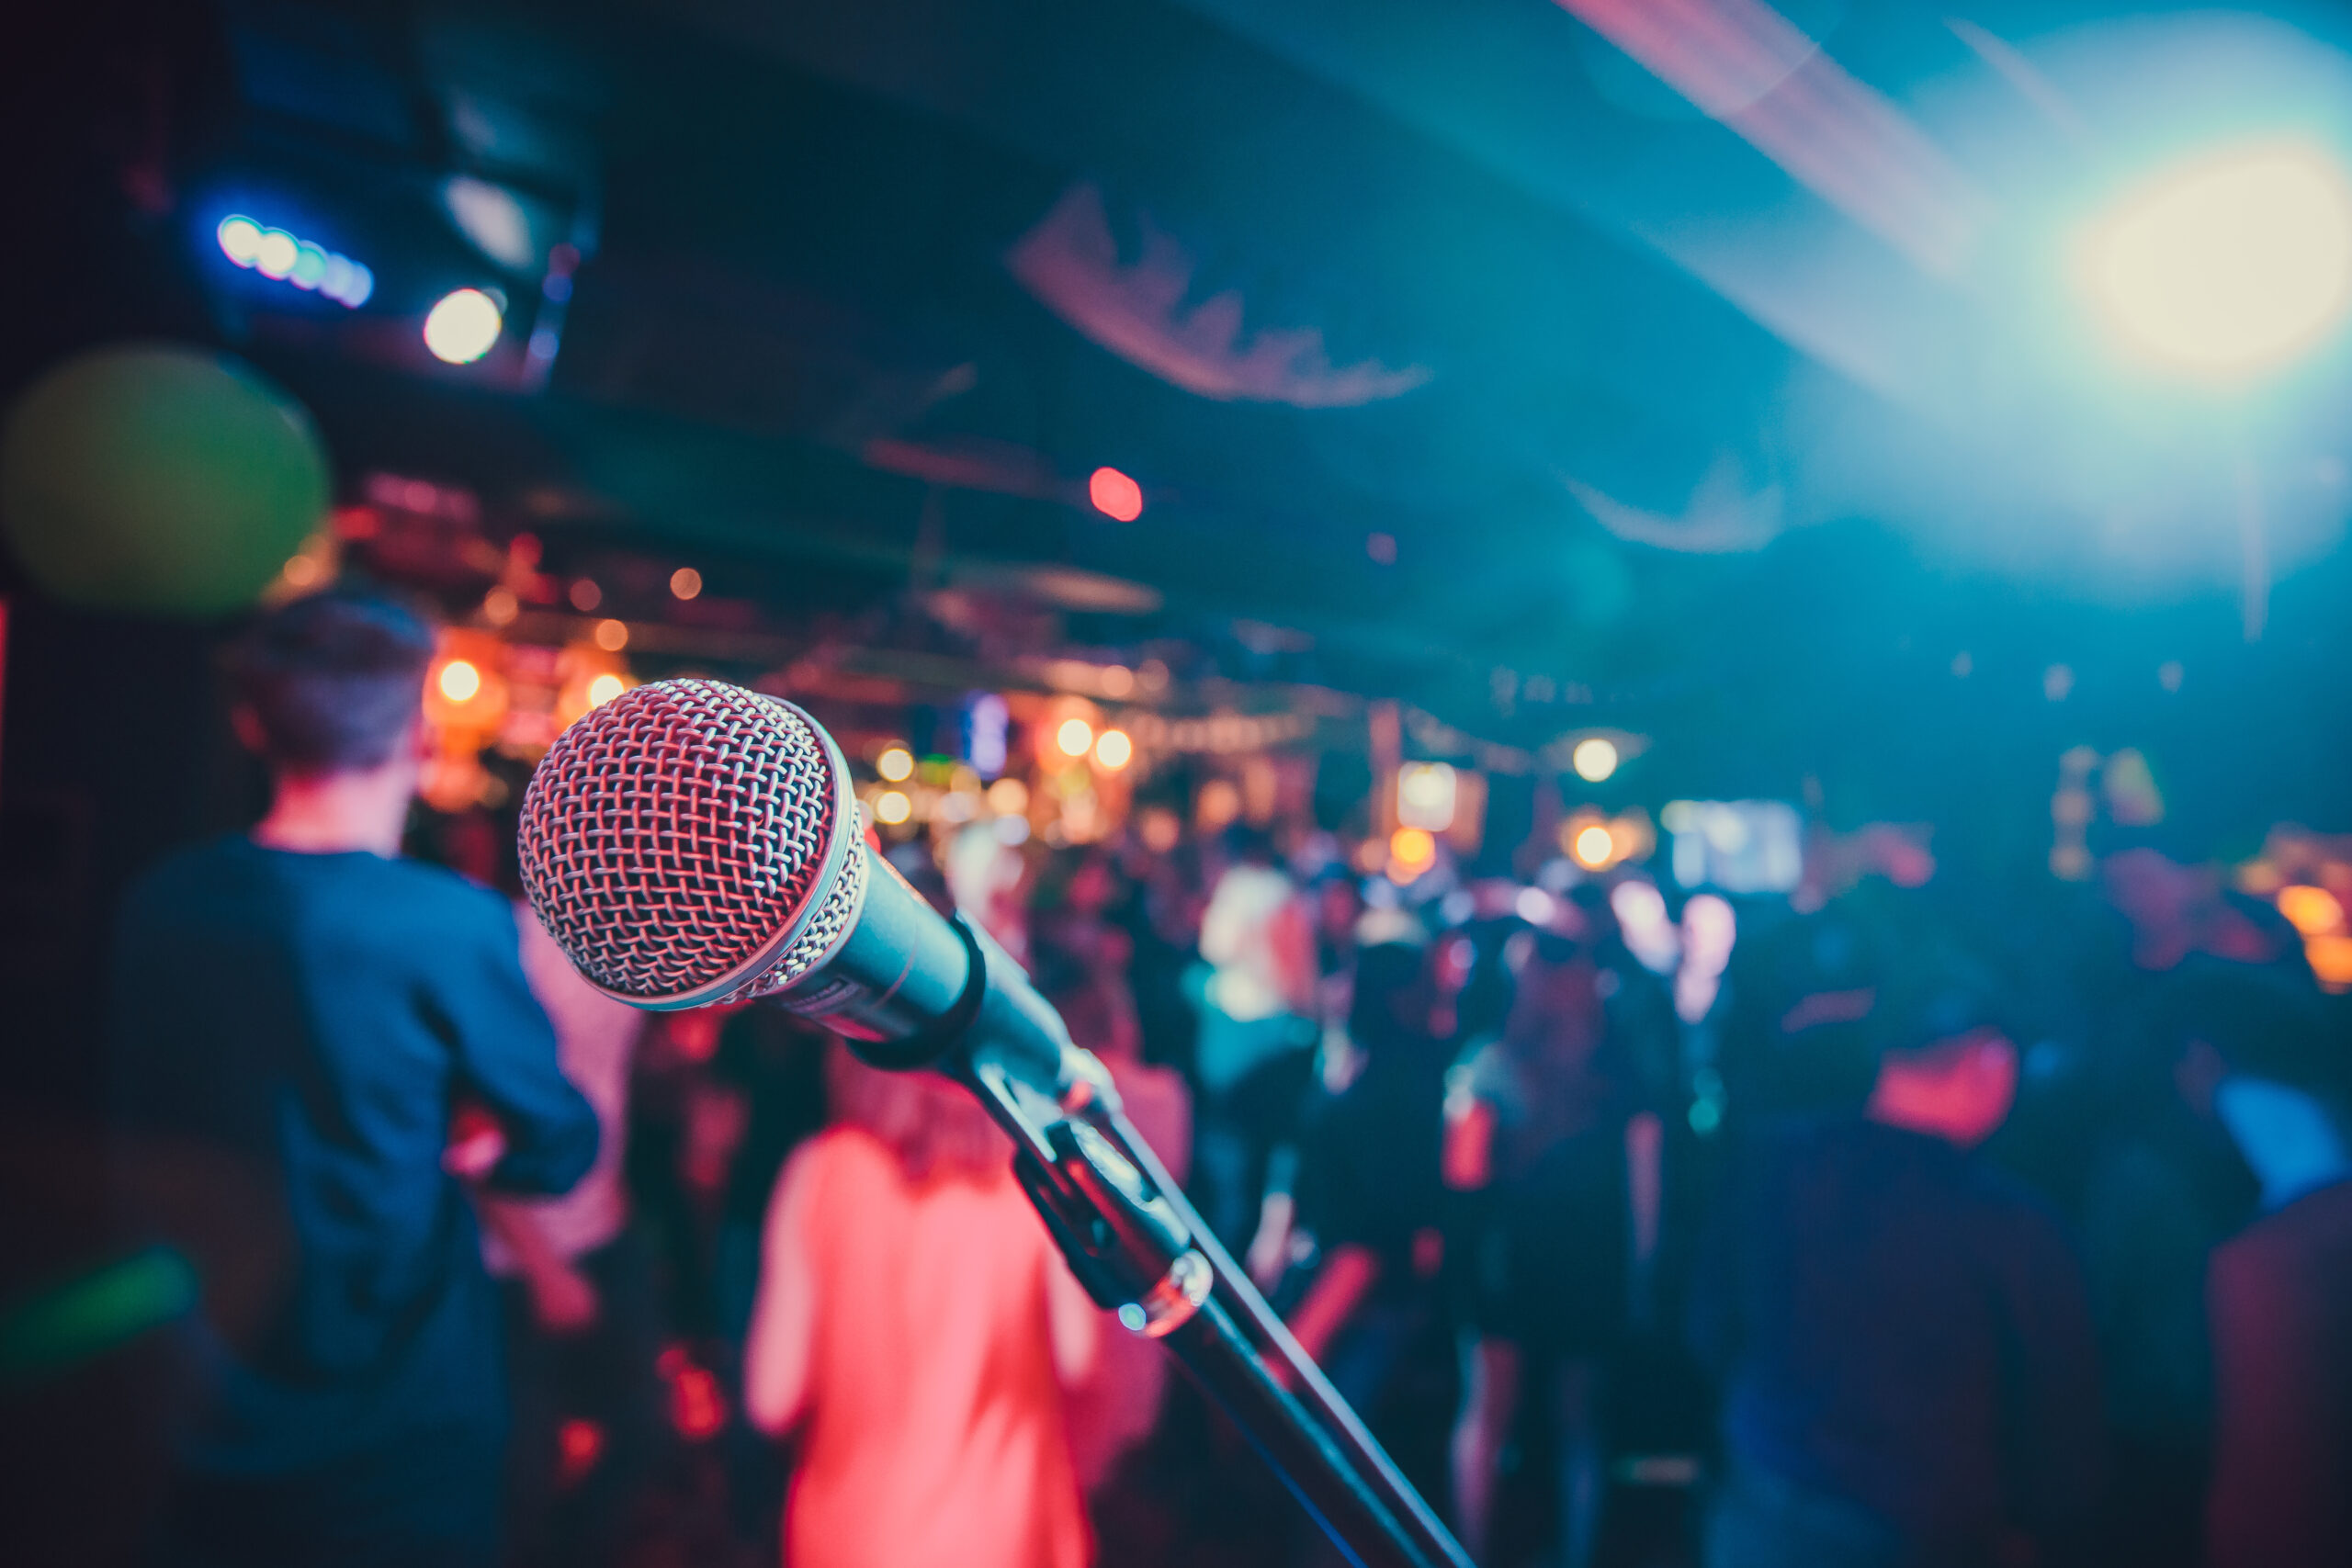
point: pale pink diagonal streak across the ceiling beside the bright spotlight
(1746, 67)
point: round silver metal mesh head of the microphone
(676, 838)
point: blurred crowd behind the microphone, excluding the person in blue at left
(1873, 1224)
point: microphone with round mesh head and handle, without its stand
(693, 843)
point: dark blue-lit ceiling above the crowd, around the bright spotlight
(1464, 349)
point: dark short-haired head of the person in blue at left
(330, 683)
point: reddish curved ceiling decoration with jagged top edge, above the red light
(1071, 264)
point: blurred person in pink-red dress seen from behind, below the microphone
(916, 1334)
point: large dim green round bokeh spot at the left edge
(159, 478)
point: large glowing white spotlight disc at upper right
(2229, 264)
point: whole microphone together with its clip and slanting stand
(695, 843)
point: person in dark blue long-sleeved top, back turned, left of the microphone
(300, 1017)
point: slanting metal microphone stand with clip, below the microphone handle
(1140, 1249)
